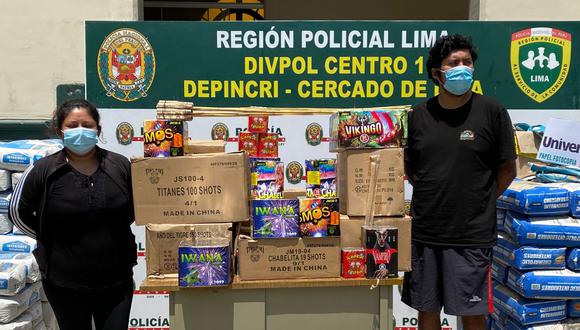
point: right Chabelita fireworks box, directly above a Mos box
(321, 178)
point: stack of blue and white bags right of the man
(536, 283)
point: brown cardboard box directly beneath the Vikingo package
(354, 178)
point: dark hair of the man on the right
(445, 46)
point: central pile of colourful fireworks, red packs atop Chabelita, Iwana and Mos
(272, 214)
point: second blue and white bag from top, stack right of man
(543, 231)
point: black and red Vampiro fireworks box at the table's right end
(381, 251)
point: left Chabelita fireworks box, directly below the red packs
(267, 179)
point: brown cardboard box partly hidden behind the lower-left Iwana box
(162, 243)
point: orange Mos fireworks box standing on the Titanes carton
(164, 138)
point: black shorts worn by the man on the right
(457, 279)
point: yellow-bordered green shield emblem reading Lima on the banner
(540, 61)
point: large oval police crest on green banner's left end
(126, 65)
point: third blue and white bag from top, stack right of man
(528, 257)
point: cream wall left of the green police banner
(43, 46)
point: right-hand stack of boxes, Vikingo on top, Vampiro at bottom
(369, 250)
